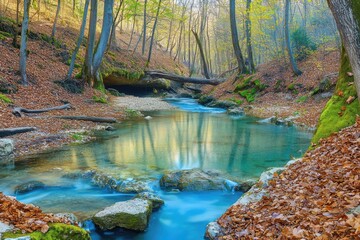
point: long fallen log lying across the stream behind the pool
(177, 78)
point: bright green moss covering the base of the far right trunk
(338, 114)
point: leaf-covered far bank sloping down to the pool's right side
(285, 94)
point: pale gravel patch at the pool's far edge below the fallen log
(142, 103)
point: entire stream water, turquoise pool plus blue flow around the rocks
(191, 137)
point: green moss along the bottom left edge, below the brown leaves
(58, 231)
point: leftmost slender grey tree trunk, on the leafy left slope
(23, 47)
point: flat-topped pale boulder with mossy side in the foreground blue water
(132, 214)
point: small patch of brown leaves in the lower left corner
(26, 217)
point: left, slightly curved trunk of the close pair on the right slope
(235, 39)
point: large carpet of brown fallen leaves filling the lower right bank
(310, 200)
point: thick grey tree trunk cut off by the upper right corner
(347, 17)
